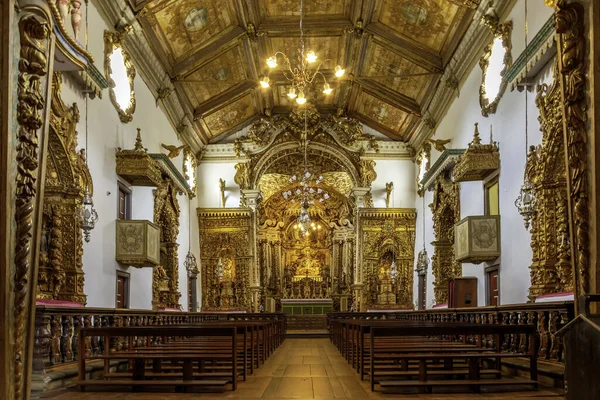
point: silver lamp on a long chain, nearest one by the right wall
(526, 202)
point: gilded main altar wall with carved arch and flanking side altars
(306, 237)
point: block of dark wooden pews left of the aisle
(220, 350)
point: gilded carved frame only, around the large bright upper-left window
(112, 41)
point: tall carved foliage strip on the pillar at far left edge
(34, 31)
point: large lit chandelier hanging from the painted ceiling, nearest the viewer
(299, 74)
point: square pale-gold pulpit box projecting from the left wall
(138, 243)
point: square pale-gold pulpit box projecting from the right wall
(477, 239)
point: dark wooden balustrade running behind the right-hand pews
(547, 317)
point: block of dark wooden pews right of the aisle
(389, 350)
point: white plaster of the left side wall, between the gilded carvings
(106, 133)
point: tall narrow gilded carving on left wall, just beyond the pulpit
(166, 216)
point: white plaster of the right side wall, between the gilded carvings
(509, 131)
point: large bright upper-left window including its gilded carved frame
(120, 74)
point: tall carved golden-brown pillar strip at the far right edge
(571, 39)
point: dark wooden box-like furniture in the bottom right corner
(582, 353)
